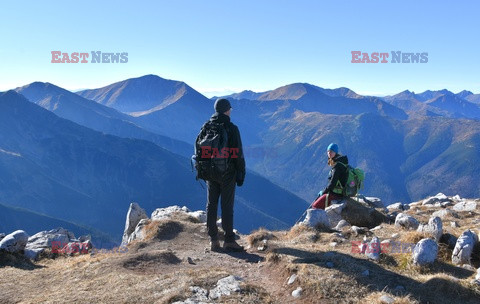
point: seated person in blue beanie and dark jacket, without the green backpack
(336, 179)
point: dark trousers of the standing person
(225, 190)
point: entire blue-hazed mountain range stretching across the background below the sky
(91, 153)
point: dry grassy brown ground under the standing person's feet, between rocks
(176, 257)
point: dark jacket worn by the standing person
(234, 141)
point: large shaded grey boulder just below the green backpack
(359, 215)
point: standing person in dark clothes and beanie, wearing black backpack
(221, 164)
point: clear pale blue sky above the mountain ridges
(225, 46)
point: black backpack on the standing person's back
(211, 152)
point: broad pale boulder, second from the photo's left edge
(54, 239)
